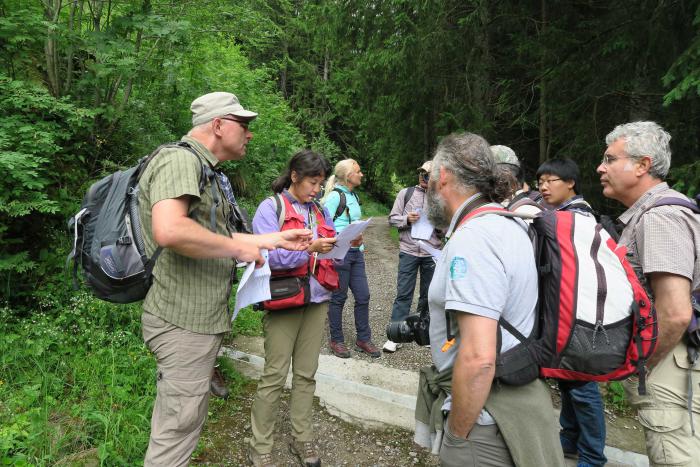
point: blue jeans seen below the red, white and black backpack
(582, 422)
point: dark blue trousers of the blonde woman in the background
(351, 274)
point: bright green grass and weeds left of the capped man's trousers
(74, 380)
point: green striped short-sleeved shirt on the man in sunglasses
(190, 293)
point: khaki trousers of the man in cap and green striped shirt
(185, 361)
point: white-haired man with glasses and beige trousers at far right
(663, 243)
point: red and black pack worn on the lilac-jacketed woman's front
(290, 288)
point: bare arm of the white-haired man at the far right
(673, 309)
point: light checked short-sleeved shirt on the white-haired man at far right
(663, 239)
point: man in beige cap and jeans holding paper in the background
(409, 206)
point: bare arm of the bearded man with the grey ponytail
(474, 369)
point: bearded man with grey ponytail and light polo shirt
(486, 273)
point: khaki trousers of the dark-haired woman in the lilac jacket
(291, 336)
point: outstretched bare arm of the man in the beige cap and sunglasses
(172, 228)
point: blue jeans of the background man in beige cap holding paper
(409, 266)
